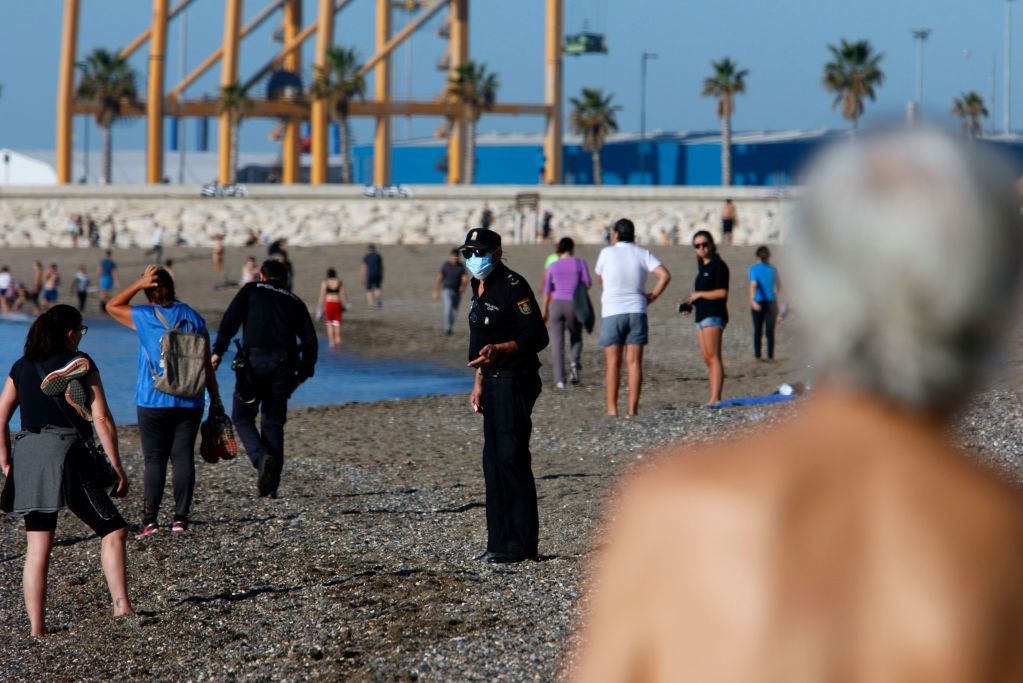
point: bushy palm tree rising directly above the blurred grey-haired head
(854, 75)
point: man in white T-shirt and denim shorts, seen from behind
(622, 270)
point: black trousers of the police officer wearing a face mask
(513, 522)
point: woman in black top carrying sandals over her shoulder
(59, 391)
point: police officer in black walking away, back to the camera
(278, 354)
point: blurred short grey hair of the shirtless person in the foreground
(906, 259)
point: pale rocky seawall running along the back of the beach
(420, 215)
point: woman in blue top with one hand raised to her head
(167, 425)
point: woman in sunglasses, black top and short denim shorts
(709, 303)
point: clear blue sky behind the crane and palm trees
(783, 42)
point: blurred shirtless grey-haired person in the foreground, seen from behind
(852, 542)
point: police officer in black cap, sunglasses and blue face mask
(507, 332)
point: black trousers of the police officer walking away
(263, 388)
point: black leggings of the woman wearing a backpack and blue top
(168, 434)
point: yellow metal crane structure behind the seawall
(294, 111)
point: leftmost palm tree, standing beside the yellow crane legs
(107, 82)
